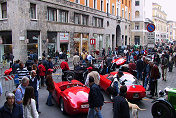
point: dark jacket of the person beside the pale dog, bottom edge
(120, 108)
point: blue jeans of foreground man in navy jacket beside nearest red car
(93, 114)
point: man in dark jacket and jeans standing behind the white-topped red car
(139, 68)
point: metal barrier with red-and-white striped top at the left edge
(7, 83)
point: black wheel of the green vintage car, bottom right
(161, 110)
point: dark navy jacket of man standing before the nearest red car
(95, 98)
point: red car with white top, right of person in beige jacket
(135, 91)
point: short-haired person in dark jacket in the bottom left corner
(10, 108)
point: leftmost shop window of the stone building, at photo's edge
(5, 44)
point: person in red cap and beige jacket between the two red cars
(93, 74)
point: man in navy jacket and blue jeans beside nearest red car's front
(95, 100)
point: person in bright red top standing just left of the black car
(64, 66)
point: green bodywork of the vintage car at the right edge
(172, 97)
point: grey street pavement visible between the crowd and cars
(54, 112)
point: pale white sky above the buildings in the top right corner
(169, 6)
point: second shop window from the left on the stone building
(33, 44)
